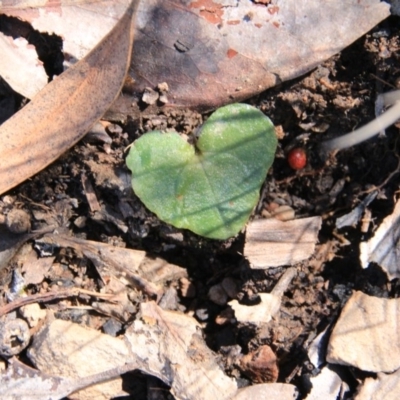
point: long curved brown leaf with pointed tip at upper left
(65, 109)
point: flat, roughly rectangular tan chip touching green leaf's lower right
(271, 243)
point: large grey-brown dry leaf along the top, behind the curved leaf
(211, 52)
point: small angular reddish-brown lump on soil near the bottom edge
(260, 365)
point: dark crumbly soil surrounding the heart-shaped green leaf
(335, 98)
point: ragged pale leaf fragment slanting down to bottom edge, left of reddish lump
(175, 352)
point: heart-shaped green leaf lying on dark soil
(210, 188)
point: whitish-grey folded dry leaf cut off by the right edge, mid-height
(382, 248)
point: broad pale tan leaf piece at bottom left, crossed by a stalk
(74, 352)
